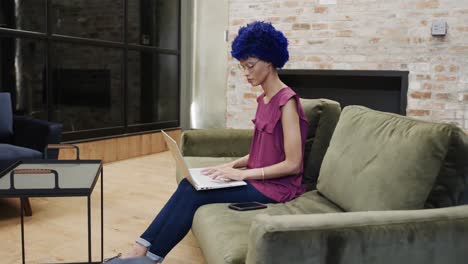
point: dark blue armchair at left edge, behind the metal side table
(24, 137)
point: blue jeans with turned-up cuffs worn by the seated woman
(175, 219)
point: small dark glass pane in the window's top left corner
(26, 15)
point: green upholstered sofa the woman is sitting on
(368, 179)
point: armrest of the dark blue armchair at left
(36, 134)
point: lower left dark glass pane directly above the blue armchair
(22, 72)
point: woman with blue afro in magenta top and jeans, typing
(272, 169)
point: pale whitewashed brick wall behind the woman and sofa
(365, 35)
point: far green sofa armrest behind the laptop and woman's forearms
(216, 142)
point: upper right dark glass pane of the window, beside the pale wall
(154, 23)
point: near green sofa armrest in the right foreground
(414, 236)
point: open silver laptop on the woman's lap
(194, 175)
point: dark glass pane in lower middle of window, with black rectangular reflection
(86, 86)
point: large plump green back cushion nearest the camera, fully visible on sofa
(382, 161)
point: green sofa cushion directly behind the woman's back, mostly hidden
(322, 115)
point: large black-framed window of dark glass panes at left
(101, 68)
